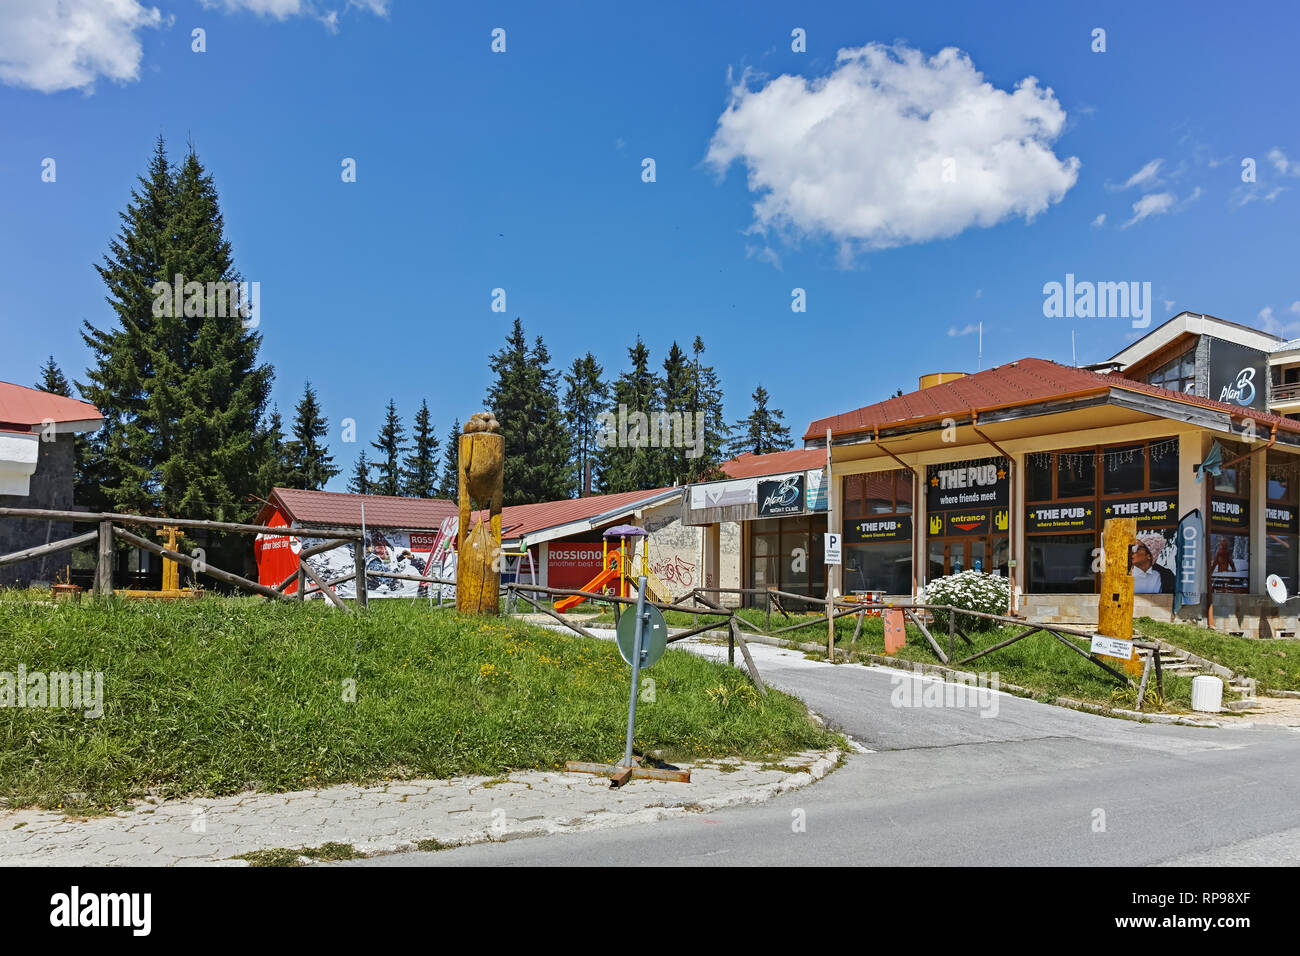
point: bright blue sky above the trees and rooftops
(523, 171)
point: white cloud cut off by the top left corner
(68, 46)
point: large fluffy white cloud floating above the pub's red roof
(894, 149)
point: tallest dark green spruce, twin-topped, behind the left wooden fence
(184, 396)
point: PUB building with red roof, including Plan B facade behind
(1015, 471)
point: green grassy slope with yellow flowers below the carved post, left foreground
(220, 695)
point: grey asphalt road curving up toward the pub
(1033, 785)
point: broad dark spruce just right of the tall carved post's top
(525, 399)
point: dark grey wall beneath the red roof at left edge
(51, 488)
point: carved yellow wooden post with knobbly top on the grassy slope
(483, 461)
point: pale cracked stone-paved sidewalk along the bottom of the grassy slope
(391, 819)
